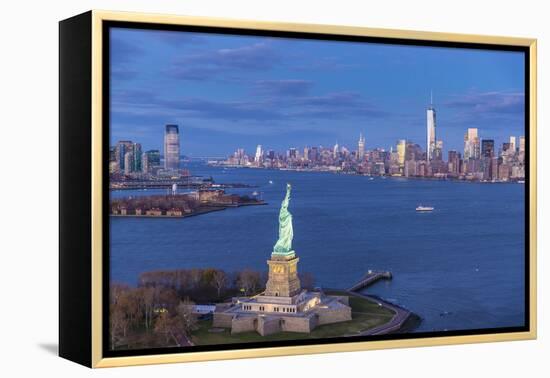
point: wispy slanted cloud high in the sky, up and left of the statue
(219, 63)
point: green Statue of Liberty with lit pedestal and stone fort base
(284, 305)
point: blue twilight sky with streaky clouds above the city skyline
(227, 92)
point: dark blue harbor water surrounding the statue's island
(458, 267)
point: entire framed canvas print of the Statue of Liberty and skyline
(235, 189)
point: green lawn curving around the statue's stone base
(365, 315)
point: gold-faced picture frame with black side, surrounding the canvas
(91, 24)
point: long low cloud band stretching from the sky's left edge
(277, 109)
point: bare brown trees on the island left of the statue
(158, 312)
